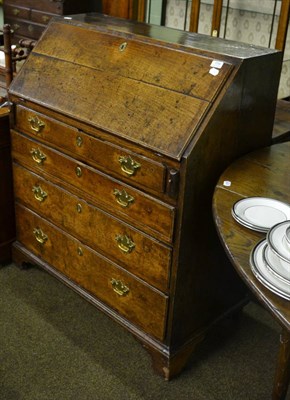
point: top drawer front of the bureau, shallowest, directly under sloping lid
(122, 163)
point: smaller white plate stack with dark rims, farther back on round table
(260, 213)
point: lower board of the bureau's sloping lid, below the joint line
(141, 111)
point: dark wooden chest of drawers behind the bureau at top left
(28, 18)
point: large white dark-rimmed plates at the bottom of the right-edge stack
(261, 272)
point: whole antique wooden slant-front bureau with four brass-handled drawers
(116, 152)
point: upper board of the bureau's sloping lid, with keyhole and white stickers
(187, 73)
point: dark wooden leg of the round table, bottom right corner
(282, 375)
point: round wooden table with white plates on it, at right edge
(261, 173)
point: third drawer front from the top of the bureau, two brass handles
(128, 247)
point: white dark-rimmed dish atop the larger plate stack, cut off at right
(277, 240)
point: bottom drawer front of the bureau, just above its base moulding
(130, 297)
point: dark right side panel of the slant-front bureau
(206, 284)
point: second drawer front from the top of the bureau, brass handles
(142, 210)
